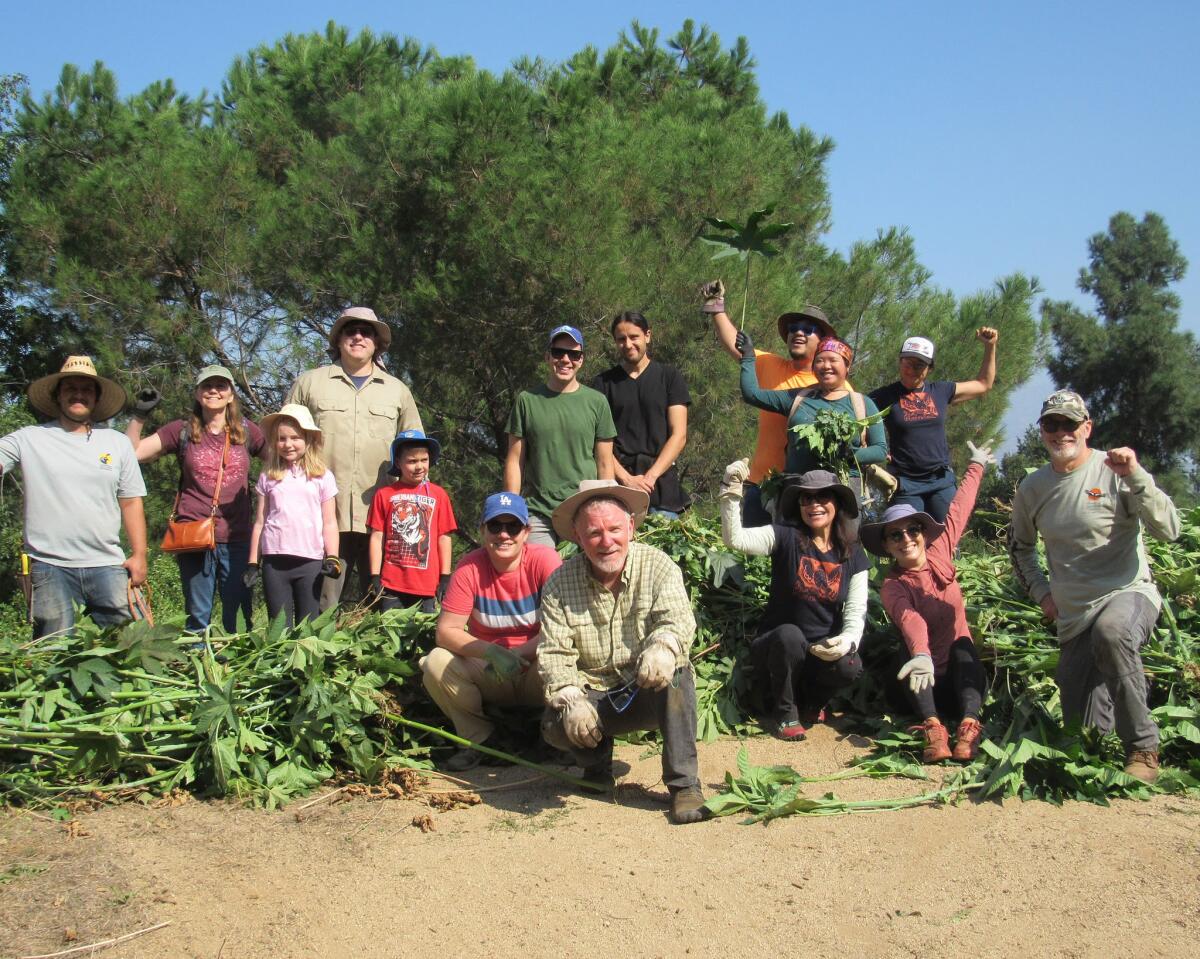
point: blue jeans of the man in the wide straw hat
(101, 591)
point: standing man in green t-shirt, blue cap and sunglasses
(560, 434)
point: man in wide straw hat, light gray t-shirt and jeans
(81, 486)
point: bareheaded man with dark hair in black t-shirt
(650, 406)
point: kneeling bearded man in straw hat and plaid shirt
(617, 626)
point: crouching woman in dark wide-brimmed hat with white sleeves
(808, 640)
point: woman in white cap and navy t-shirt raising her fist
(916, 422)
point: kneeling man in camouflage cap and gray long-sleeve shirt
(1090, 510)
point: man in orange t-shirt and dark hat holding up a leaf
(801, 331)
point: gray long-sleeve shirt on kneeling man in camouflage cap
(1091, 523)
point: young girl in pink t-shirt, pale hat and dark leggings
(296, 526)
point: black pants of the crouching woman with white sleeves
(788, 678)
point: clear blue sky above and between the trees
(1003, 135)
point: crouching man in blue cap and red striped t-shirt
(489, 632)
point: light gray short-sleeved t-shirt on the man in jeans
(71, 487)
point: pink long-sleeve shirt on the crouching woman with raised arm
(927, 604)
